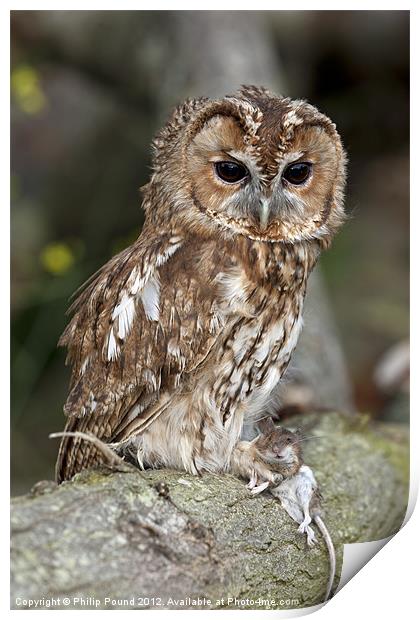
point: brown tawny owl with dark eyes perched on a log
(178, 341)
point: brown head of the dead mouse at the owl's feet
(277, 444)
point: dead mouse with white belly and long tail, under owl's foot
(297, 490)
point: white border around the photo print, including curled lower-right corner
(385, 586)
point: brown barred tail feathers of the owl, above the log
(103, 455)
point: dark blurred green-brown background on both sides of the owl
(85, 106)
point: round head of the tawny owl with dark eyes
(251, 164)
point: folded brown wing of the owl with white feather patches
(141, 325)
